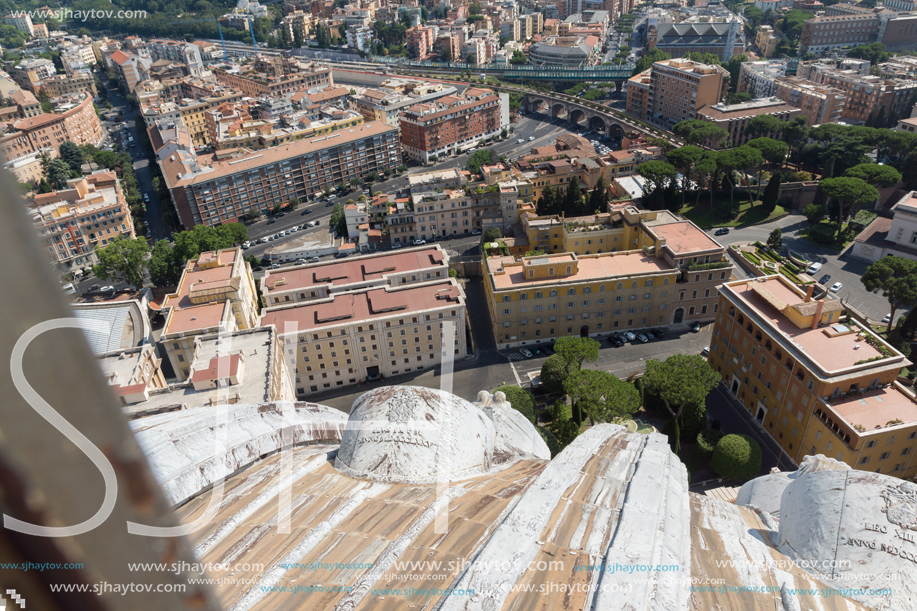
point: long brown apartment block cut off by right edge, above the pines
(867, 94)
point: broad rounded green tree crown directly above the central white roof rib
(601, 396)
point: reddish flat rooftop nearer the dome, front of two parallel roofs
(350, 308)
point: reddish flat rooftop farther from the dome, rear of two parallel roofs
(356, 270)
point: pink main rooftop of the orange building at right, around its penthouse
(830, 353)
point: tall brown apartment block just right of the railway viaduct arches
(677, 89)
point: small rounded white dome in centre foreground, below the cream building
(409, 434)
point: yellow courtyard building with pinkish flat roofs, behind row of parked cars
(636, 269)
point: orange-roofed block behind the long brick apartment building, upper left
(275, 77)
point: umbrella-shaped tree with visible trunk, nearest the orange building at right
(679, 380)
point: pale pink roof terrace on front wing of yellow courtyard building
(590, 267)
